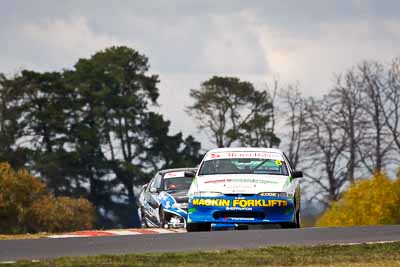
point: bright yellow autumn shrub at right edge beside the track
(372, 201)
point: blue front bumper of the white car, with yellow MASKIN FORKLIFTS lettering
(241, 210)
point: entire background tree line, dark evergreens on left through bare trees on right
(91, 132)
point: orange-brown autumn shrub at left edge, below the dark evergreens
(27, 206)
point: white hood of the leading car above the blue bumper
(242, 183)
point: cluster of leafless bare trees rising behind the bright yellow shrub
(351, 131)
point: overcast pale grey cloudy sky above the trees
(189, 41)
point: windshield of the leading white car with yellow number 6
(244, 165)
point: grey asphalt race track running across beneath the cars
(11, 250)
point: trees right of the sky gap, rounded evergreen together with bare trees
(351, 132)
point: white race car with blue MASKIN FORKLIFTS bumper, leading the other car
(237, 187)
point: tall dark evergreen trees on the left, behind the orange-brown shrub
(90, 131)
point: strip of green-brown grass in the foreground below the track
(355, 255)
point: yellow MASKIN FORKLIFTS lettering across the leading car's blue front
(242, 203)
